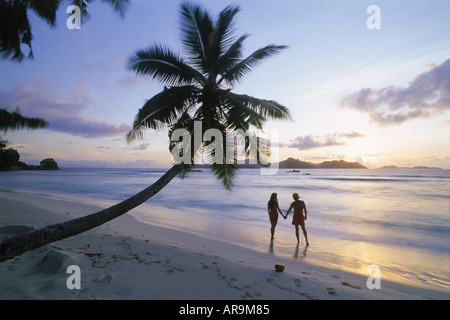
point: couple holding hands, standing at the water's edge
(297, 219)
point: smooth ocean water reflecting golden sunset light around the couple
(398, 220)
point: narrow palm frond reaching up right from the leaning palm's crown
(238, 71)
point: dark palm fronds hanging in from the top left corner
(15, 28)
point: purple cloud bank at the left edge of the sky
(64, 115)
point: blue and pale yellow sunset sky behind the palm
(376, 96)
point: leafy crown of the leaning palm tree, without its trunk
(198, 87)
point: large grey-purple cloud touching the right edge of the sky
(428, 94)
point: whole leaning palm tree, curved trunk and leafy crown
(198, 88)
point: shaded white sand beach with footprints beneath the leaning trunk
(125, 259)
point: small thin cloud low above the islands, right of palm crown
(330, 140)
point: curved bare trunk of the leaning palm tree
(14, 246)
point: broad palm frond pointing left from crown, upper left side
(164, 64)
